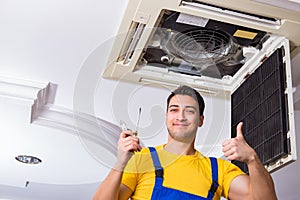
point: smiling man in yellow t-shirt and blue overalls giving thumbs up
(176, 170)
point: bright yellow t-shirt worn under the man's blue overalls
(188, 173)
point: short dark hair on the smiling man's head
(186, 90)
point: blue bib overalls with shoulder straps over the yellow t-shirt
(161, 192)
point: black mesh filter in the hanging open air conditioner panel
(260, 102)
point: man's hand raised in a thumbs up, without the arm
(237, 148)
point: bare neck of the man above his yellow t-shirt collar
(180, 148)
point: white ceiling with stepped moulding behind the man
(52, 99)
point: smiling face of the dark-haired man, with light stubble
(182, 118)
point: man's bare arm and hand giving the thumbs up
(259, 183)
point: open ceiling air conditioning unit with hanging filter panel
(238, 47)
